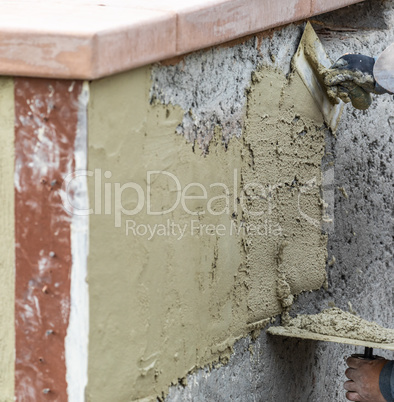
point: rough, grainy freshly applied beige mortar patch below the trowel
(284, 145)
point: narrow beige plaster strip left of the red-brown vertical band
(7, 244)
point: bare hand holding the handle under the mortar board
(363, 384)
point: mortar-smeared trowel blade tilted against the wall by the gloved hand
(310, 60)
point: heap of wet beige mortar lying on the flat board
(336, 322)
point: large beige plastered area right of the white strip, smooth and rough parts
(162, 307)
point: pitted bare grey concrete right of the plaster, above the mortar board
(360, 269)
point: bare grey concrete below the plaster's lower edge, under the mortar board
(265, 370)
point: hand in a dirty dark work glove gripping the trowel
(351, 79)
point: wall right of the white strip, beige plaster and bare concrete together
(180, 304)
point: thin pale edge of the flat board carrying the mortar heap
(304, 334)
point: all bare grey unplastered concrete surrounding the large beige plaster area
(358, 170)
